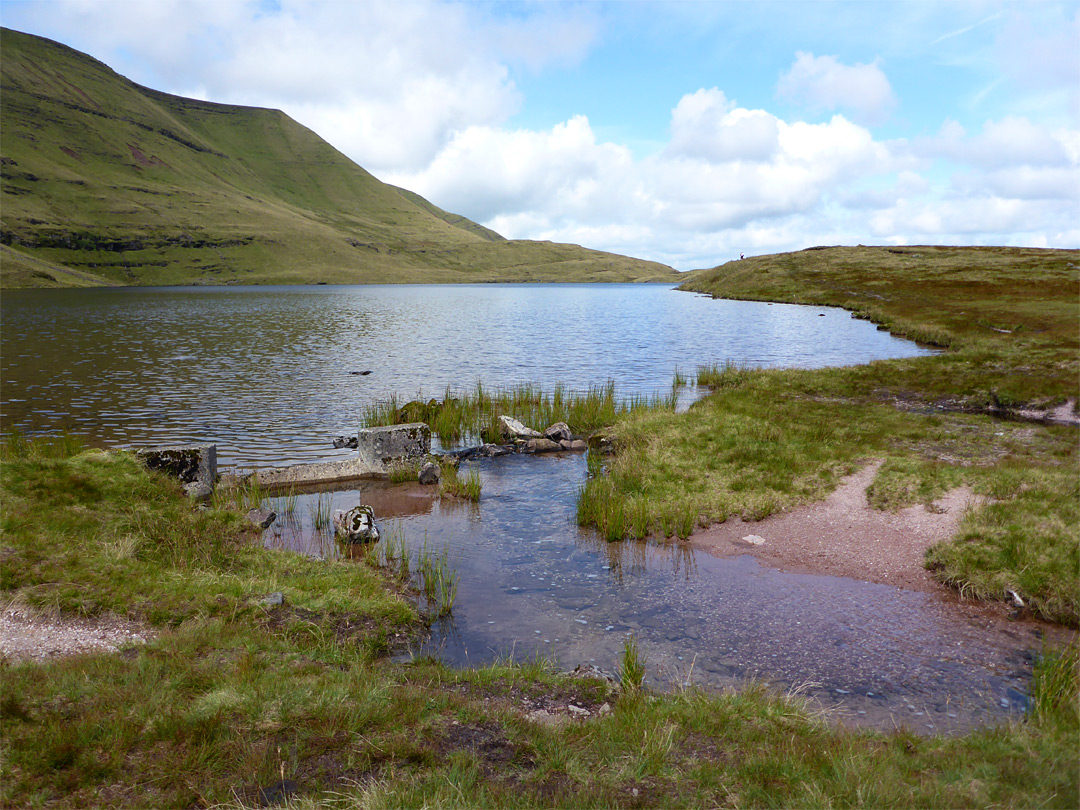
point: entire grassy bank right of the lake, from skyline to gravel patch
(1008, 322)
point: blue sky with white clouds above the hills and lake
(686, 133)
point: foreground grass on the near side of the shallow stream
(231, 696)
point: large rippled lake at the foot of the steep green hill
(272, 374)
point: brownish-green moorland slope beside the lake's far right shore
(1009, 318)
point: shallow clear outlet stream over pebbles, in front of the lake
(533, 584)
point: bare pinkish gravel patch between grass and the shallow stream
(843, 536)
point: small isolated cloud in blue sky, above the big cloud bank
(822, 84)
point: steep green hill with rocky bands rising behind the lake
(106, 182)
